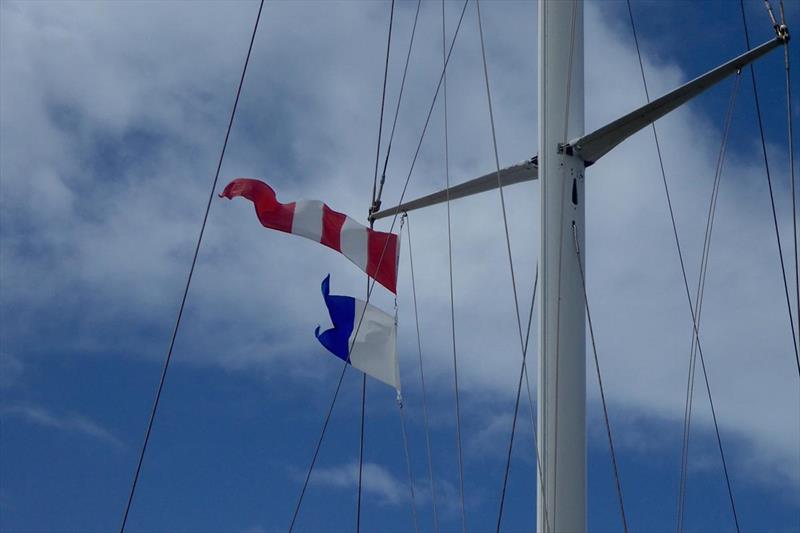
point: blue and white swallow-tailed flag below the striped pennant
(372, 347)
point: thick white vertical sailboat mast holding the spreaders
(561, 498)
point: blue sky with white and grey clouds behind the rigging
(112, 117)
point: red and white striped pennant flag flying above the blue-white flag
(375, 252)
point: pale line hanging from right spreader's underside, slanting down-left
(699, 296)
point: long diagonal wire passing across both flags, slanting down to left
(380, 261)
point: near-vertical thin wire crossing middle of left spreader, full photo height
(452, 297)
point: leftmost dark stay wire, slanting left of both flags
(189, 277)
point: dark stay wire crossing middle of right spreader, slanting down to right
(684, 276)
